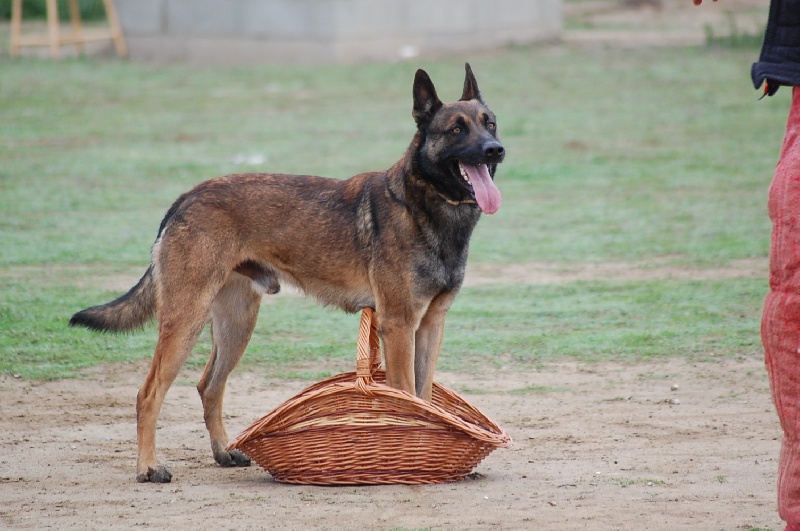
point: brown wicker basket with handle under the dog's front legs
(353, 429)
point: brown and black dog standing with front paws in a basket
(393, 240)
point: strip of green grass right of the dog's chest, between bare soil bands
(513, 327)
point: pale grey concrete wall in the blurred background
(328, 31)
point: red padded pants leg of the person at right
(780, 324)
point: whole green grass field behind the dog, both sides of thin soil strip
(638, 155)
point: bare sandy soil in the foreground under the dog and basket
(663, 445)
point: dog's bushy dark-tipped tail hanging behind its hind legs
(129, 312)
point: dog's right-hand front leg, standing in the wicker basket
(428, 341)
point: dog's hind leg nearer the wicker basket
(233, 317)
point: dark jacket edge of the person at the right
(779, 63)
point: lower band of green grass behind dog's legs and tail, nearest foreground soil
(501, 327)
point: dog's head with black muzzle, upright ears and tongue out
(458, 150)
